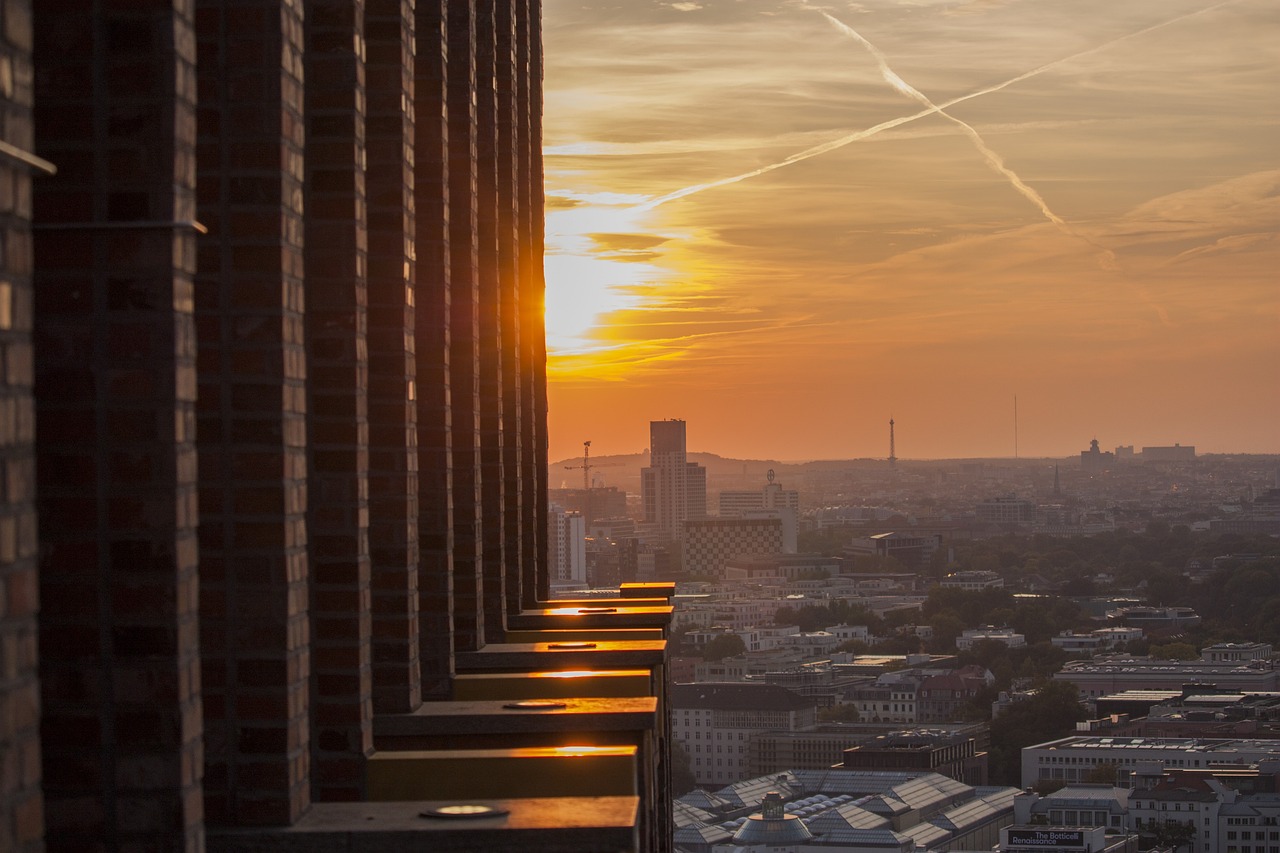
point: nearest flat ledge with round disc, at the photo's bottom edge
(531, 825)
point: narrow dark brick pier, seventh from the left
(465, 327)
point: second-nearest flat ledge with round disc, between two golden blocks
(536, 723)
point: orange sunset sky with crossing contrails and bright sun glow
(789, 222)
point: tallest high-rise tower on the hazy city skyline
(673, 489)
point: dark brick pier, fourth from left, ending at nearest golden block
(339, 405)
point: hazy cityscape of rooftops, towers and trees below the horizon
(966, 655)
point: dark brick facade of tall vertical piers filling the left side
(273, 412)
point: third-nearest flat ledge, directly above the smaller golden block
(560, 655)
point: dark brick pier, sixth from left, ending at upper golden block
(436, 495)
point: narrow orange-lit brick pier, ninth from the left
(514, 111)
